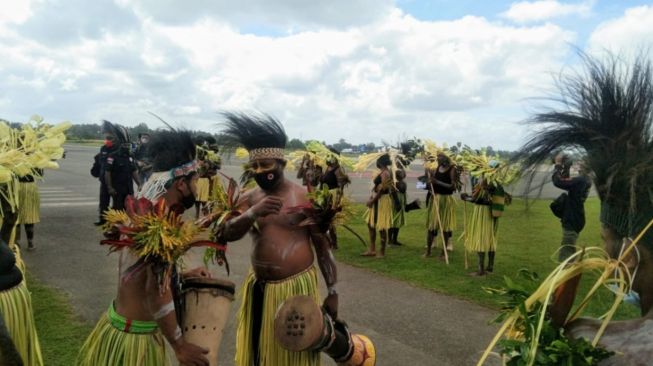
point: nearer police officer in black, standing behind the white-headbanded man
(120, 170)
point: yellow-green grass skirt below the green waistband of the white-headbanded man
(108, 345)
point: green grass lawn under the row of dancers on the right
(527, 239)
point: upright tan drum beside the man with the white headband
(205, 310)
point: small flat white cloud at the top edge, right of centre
(535, 11)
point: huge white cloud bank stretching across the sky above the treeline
(373, 80)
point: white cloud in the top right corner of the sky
(631, 32)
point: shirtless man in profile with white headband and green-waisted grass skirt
(143, 313)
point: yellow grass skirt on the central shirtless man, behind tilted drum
(276, 292)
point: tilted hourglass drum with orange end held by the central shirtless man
(300, 325)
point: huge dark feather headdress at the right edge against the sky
(605, 112)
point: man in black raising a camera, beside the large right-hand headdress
(573, 206)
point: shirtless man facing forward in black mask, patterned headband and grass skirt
(282, 255)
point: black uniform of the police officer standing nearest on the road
(121, 166)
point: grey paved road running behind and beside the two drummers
(410, 326)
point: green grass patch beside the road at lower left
(60, 332)
